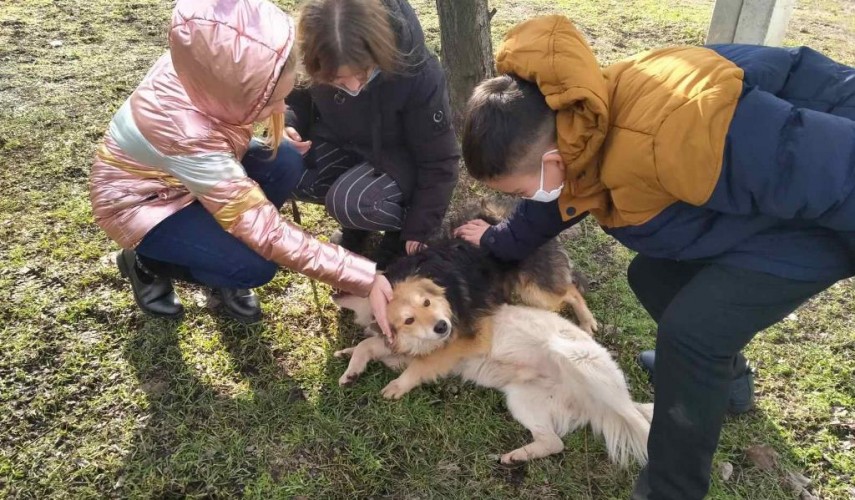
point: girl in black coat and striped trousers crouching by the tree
(374, 124)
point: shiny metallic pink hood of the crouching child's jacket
(228, 54)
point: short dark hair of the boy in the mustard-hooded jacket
(507, 128)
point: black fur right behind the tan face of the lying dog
(472, 279)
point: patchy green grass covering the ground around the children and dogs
(97, 400)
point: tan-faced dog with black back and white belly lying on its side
(450, 316)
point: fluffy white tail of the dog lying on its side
(609, 408)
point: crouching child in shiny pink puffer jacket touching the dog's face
(180, 184)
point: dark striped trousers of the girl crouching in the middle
(353, 194)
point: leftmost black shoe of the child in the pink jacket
(153, 294)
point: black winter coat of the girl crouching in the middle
(400, 124)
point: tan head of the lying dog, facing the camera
(420, 316)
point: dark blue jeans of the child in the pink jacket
(190, 245)
